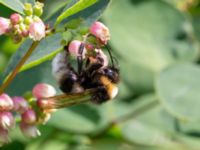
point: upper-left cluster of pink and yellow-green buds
(27, 25)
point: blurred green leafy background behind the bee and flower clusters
(156, 43)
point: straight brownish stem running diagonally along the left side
(18, 67)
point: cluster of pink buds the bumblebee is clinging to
(97, 37)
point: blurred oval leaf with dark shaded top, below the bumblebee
(75, 118)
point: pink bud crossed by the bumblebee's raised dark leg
(74, 48)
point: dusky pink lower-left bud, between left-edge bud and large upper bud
(20, 104)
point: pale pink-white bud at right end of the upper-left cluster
(37, 30)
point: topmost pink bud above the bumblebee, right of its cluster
(99, 30)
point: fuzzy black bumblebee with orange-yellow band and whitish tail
(96, 74)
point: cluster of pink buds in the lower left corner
(29, 111)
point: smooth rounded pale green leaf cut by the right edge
(178, 90)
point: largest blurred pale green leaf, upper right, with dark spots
(145, 43)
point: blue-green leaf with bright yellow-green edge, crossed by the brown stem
(45, 51)
